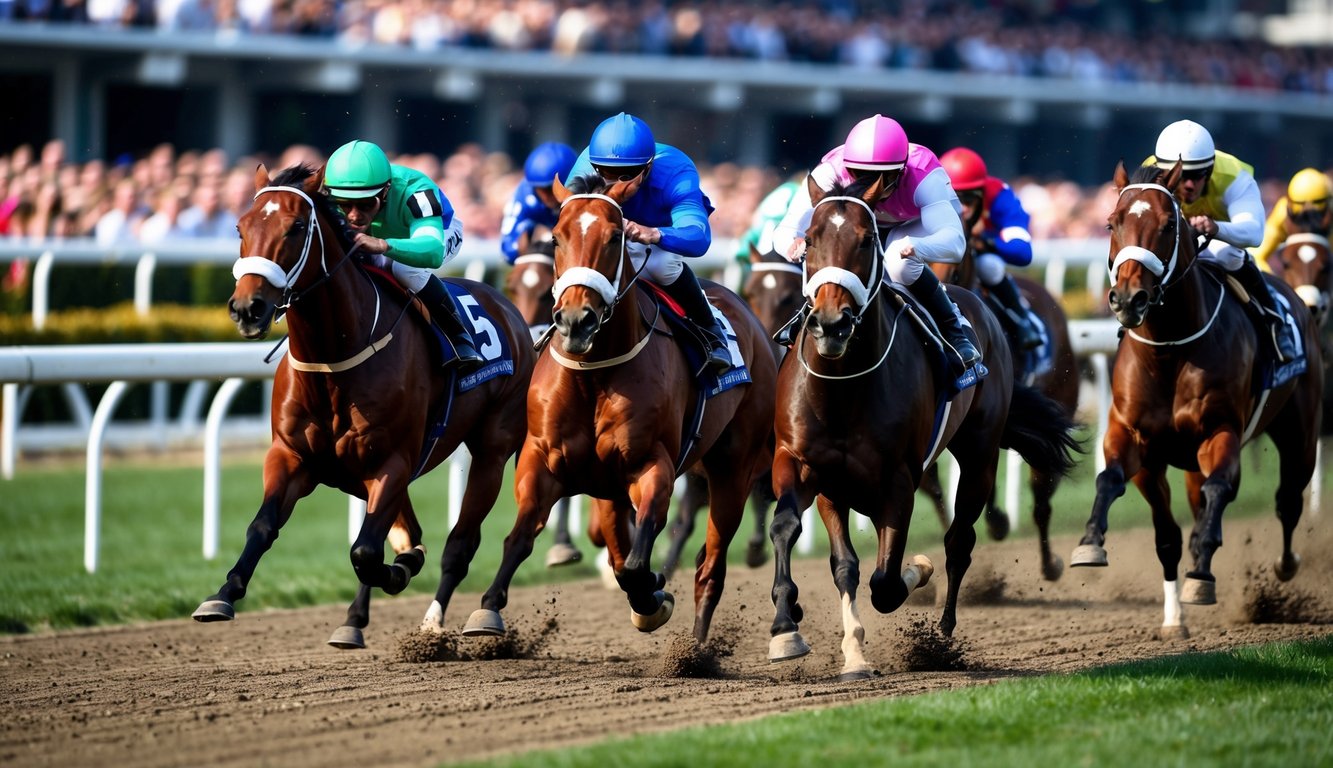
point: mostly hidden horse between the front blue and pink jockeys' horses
(774, 293)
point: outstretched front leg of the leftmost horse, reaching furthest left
(286, 482)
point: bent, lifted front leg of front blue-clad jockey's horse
(650, 499)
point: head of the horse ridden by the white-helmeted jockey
(1151, 242)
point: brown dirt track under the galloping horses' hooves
(266, 690)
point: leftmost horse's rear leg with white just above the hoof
(485, 479)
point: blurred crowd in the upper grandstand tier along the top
(1092, 43)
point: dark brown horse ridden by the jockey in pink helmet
(863, 409)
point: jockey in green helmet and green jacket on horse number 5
(402, 217)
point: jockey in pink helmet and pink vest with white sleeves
(919, 221)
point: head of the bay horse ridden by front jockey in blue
(591, 257)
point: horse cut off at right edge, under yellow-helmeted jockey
(1306, 263)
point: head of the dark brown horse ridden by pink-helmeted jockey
(844, 261)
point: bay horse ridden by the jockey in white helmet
(1190, 387)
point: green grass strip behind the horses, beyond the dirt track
(151, 565)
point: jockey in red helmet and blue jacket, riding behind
(999, 235)
